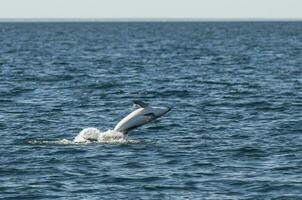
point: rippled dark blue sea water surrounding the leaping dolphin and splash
(235, 131)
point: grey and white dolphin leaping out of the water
(142, 115)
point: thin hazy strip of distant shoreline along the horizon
(150, 19)
